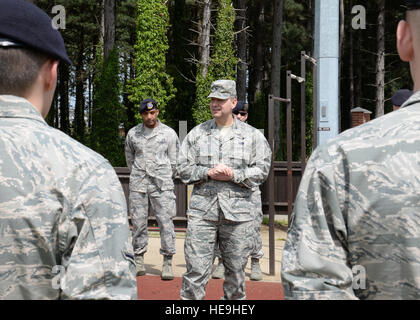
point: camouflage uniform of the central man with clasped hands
(221, 211)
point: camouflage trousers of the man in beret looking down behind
(164, 208)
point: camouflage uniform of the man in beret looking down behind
(152, 162)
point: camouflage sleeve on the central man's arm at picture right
(255, 174)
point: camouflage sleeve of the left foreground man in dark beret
(95, 242)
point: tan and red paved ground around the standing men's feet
(151, 287)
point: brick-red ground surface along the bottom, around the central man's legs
(153, 288)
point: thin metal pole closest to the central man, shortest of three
(271, 186)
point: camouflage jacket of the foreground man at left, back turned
(62, 209)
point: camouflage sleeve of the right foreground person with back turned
(314, 263)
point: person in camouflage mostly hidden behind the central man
(241, 113)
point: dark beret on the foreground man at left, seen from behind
(24, 24)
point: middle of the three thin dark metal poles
(289, 145)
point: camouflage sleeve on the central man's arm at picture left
(189, 171)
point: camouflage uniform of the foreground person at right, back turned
(358, 210)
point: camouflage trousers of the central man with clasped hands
(200, 242)
